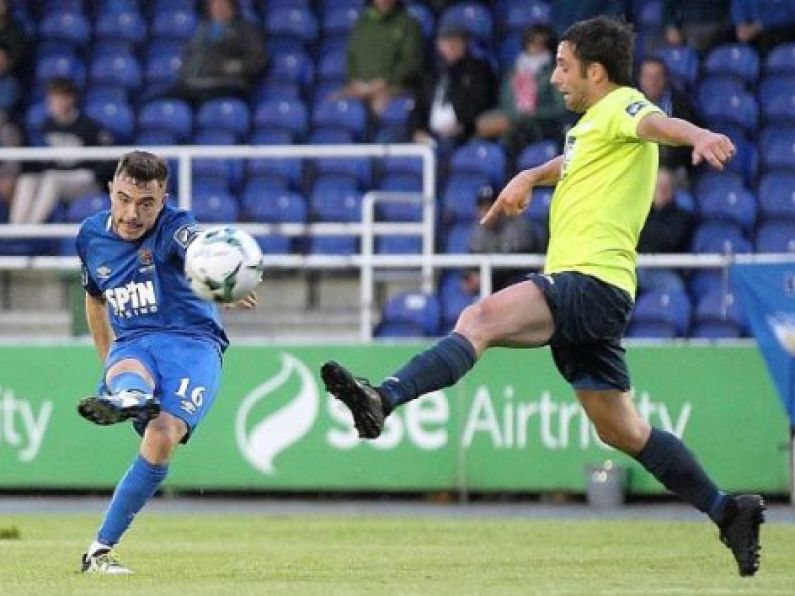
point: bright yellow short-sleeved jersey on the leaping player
(605, 191)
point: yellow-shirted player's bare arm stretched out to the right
(714, 148)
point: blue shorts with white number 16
(186, 371)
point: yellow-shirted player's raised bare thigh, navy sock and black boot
(518, 316)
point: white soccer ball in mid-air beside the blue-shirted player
(223, 264)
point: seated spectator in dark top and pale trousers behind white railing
(37, 192)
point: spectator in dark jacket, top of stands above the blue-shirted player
(225, 56)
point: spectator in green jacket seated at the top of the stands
(384, 55)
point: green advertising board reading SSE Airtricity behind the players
(511, 425)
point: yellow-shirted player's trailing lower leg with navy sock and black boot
(667, 459)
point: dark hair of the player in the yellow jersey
(606, 41)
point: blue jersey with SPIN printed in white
(143, 281)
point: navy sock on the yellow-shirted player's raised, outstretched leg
(437, 367)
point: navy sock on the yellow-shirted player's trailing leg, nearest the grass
(667, 458)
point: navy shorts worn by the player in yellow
(590, 317)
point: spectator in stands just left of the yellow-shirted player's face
(530, 108)
